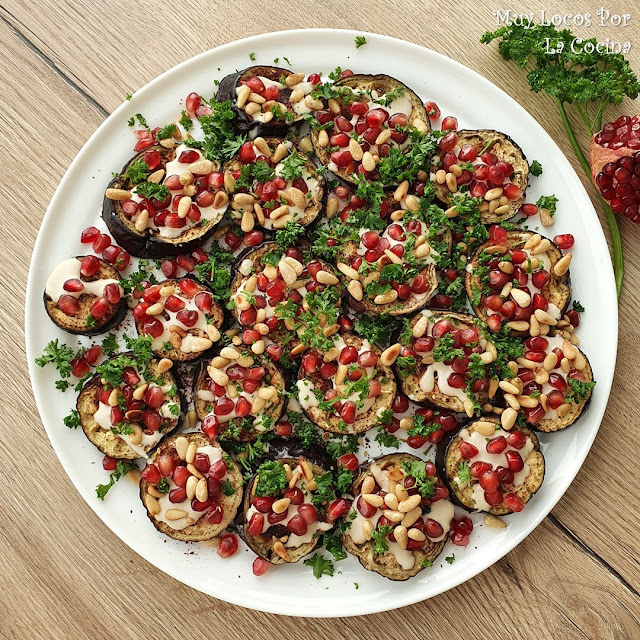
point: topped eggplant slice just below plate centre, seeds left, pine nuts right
(346, 388)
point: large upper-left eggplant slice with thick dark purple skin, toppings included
(182, 193)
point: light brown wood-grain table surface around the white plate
(65, 67)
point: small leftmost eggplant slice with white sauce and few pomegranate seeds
(83, 295)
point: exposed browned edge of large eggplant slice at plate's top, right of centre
(367, 82)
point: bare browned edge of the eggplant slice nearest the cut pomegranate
(506, 150)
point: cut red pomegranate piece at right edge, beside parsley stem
(615, 165)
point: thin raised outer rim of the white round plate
(373, 605)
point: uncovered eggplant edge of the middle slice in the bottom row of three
(262, 544)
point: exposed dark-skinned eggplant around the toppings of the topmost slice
(244, 122)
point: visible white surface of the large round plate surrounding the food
(476, 103)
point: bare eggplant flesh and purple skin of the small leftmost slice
(76, 324)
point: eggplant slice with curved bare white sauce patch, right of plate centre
(443, 382)
